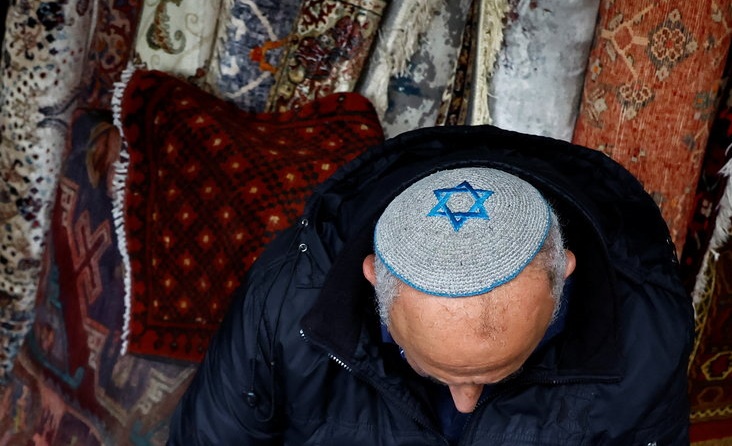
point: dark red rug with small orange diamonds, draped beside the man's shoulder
(207, 186)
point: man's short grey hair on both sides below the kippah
(551, 258)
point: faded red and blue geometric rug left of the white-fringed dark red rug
(70, 384)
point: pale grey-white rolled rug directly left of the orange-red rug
(542, 62)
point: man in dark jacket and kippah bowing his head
(458, 285)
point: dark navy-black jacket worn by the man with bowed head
(300, 359)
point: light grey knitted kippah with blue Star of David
(462, 232)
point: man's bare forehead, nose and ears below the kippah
(465, 343)
